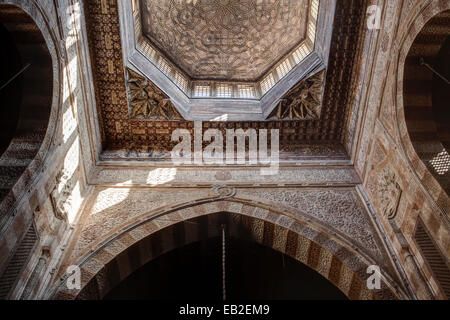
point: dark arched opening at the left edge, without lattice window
(26, 93)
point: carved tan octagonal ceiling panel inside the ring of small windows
(225, 39)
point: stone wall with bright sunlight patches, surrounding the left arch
(49, 198)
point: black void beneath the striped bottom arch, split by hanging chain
(253, 271)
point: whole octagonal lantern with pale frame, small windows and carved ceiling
(248, 50)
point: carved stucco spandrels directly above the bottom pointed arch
(338, 209)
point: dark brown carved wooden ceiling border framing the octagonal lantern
(303, 133)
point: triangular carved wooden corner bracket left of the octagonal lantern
(148, 102)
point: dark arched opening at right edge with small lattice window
(426, 97)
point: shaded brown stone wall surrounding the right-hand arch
(397, 182)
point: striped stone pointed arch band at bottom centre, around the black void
(118, 257)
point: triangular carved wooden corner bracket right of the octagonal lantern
(303, 102)
